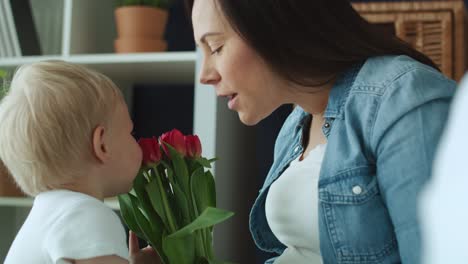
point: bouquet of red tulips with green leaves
(173, 201)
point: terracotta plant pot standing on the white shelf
(141, 25)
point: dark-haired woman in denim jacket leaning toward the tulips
(350, 160)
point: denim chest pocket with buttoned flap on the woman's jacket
(356, 218)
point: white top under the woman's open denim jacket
(292, 209)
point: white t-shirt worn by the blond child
(67, 225)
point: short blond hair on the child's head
(47, 119)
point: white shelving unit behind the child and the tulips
(87, 38)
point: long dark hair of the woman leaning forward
(309, 42)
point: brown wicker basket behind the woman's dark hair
(436, 28)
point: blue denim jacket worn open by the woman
(383, 122)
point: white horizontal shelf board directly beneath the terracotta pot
(158, 67)
